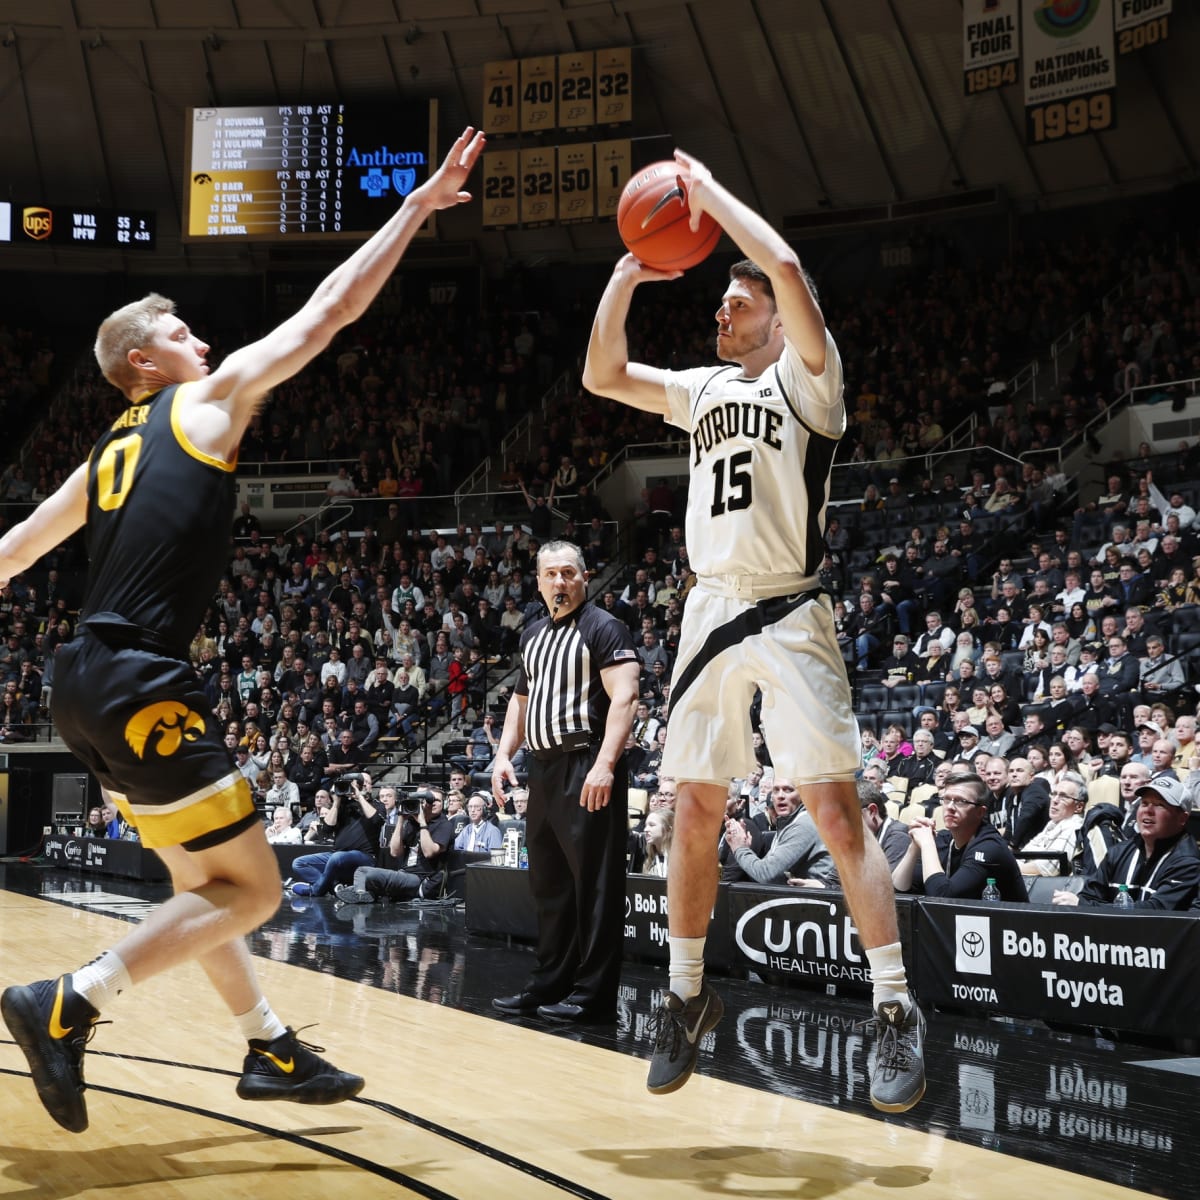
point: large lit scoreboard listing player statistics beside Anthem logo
(279, 172)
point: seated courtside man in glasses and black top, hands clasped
(957, 863)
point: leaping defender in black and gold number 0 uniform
(157, 495)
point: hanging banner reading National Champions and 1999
(1070, 69)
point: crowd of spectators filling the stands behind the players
(982, 622)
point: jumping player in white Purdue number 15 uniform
(764, 430)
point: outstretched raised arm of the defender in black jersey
(345, 295)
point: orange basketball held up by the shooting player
(653, 219)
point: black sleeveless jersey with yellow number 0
(158, 523)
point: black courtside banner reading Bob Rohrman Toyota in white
(1071, 965)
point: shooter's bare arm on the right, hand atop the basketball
(799, 310)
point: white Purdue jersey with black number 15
(761, 452)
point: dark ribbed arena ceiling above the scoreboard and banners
(802, 106)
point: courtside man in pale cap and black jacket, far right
(1160, 865)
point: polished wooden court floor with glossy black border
(461, 1105)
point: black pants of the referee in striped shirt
(578, 880)
